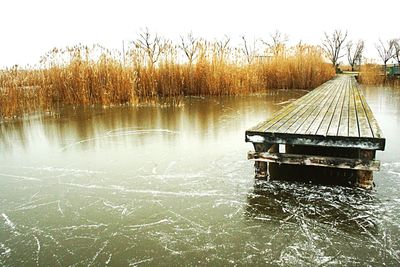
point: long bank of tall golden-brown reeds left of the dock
(148, 71)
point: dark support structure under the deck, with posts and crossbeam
(349, 167)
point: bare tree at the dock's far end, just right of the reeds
(332, 45)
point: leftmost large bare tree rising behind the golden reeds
(151, 45)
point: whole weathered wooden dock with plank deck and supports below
(331, 130)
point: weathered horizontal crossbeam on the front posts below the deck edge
(323, 161)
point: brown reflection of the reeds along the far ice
(198, 117)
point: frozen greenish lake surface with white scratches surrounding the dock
(171, 186)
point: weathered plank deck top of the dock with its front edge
(334, 114)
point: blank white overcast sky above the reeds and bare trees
(30, 28)
